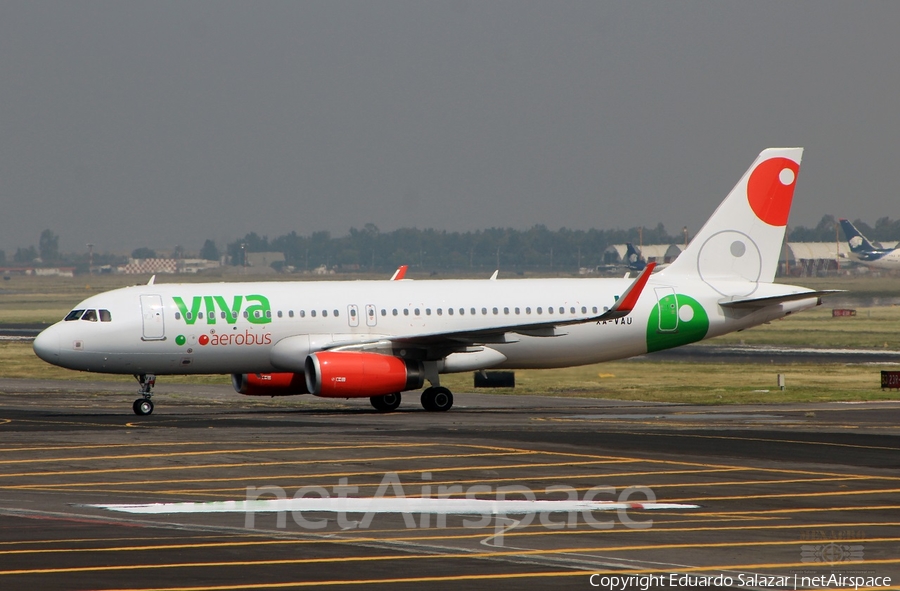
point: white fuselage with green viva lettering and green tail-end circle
(270, 327)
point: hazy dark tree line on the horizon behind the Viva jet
(368, 249)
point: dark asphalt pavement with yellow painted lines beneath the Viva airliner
(783, 490)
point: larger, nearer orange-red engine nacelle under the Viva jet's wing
(355, 375)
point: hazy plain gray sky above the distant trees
(158, 123)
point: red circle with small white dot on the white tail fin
(771, 189)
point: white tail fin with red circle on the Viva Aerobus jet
(742, 240)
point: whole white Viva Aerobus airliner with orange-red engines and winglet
(376, 339)
